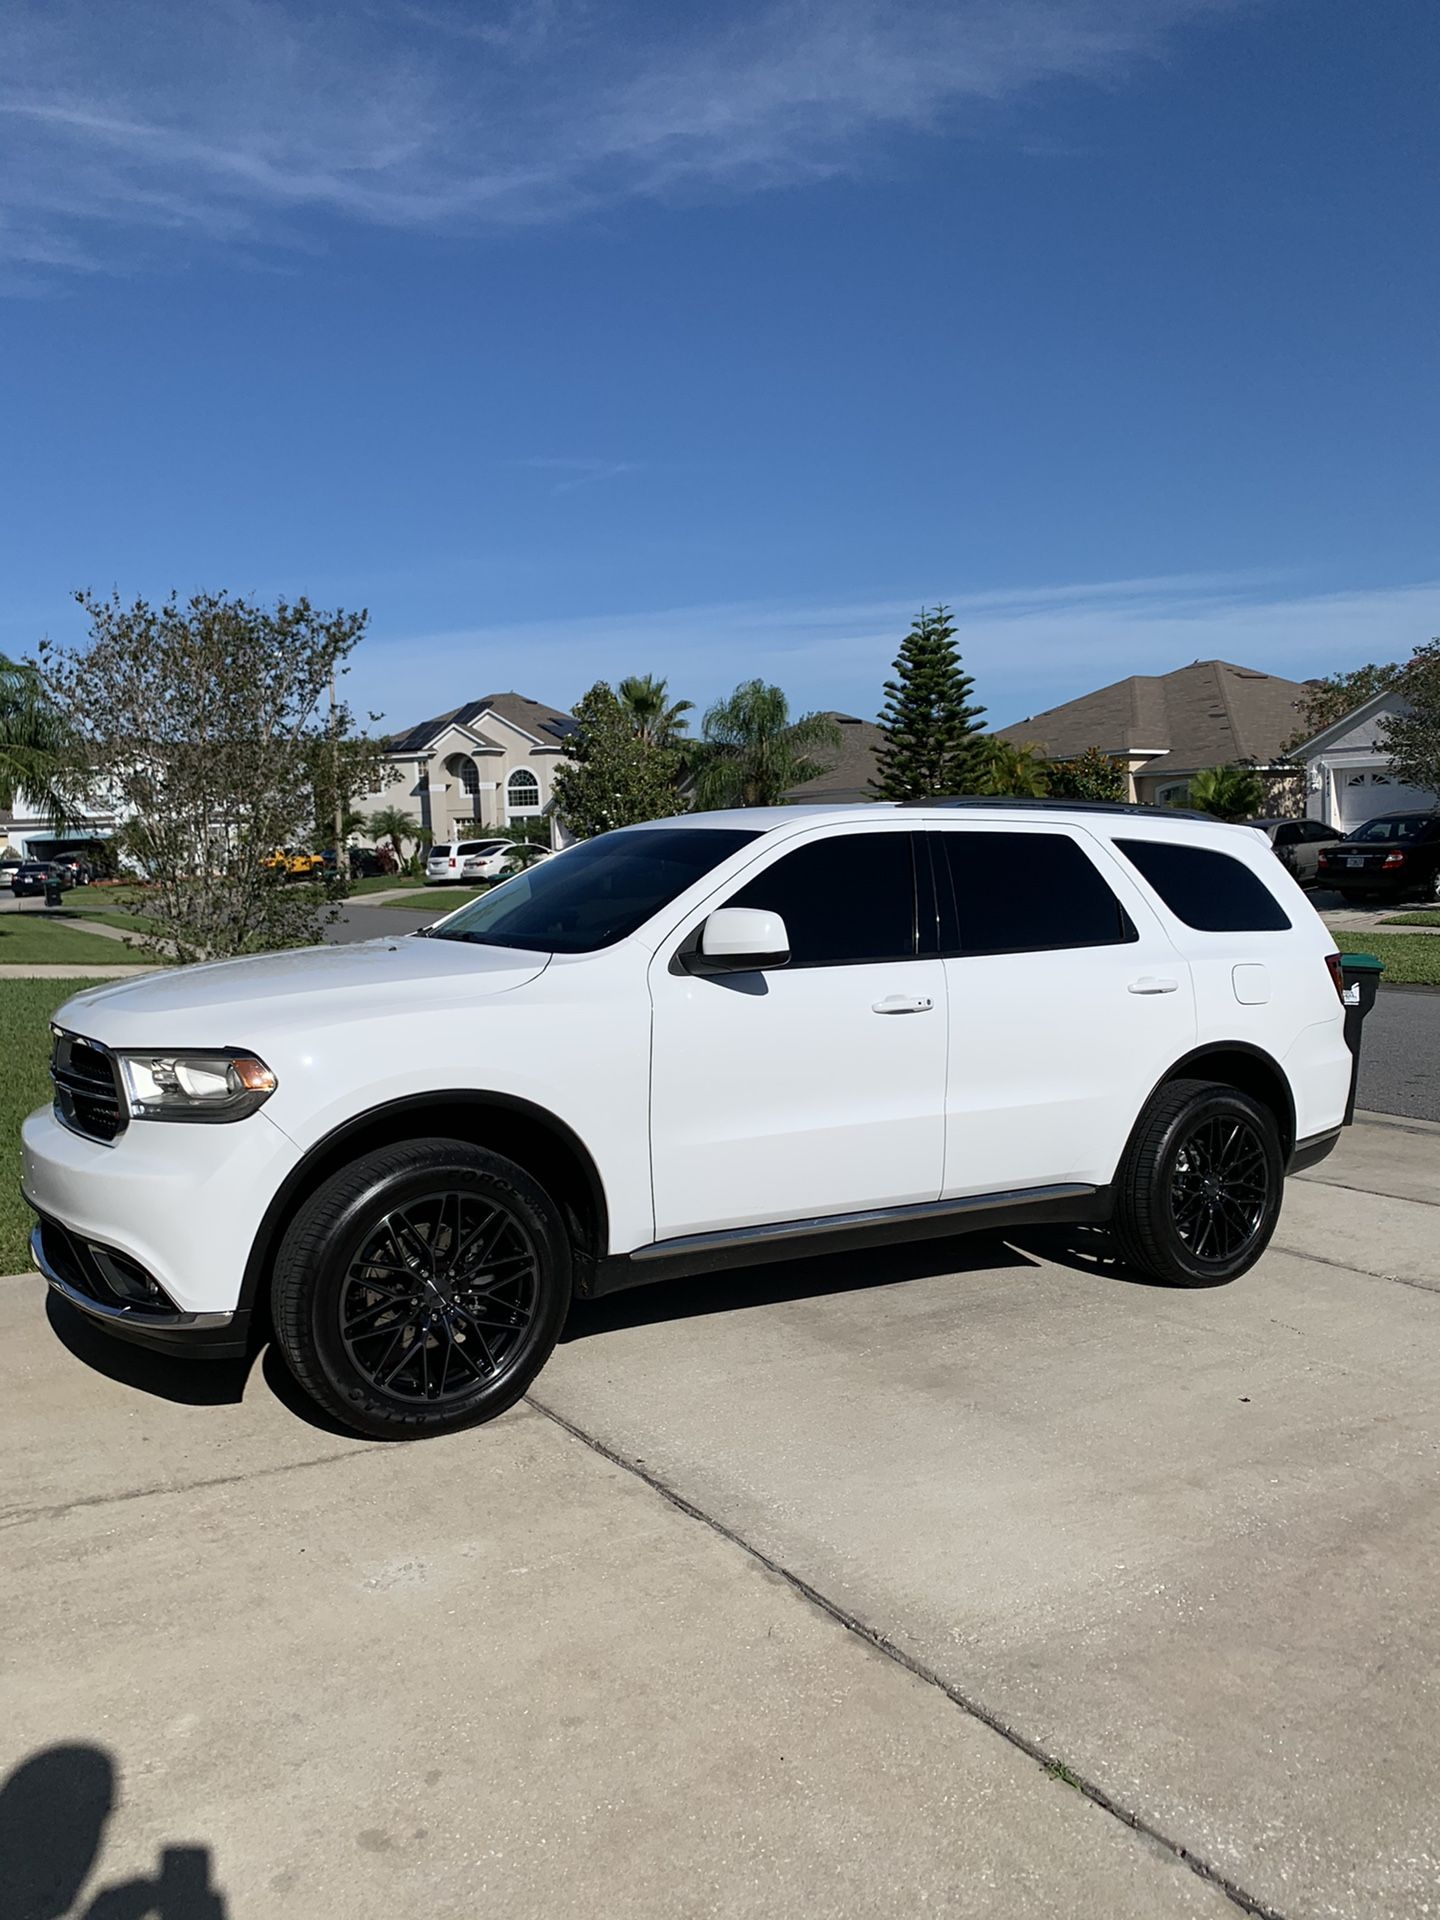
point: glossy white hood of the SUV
(235, 1003)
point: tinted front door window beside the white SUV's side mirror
(844, 900)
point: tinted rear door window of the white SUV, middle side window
(1026, 894)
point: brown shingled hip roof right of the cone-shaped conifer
(1203, 715)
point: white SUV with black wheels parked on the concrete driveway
(696, 1044)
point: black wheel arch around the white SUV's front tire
(527, 1134)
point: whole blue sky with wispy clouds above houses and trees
(587, 339)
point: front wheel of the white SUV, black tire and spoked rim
(421, 1289)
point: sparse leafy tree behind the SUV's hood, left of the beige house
(203, 721)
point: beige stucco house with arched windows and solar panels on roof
(481, 767)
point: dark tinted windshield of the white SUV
(594, 894)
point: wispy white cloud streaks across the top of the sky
(160, 118)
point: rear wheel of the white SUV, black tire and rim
(1199, 1189)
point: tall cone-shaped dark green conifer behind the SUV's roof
(934, 734)
